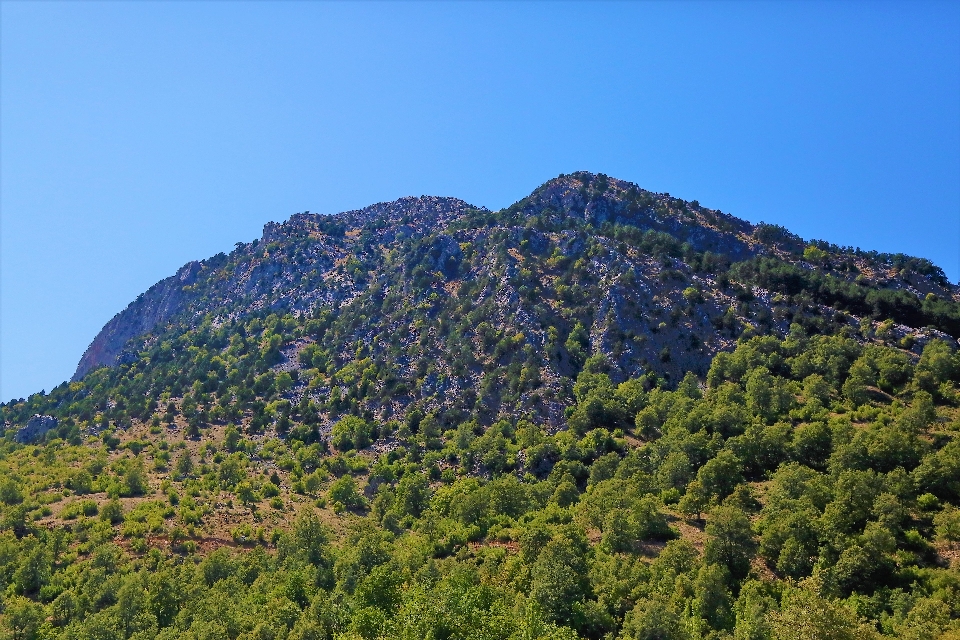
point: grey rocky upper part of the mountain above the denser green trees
(447, 299)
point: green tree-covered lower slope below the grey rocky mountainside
(807, 488)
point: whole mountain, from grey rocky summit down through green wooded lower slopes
(599, 413)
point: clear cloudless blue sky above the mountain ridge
(138, 136)
